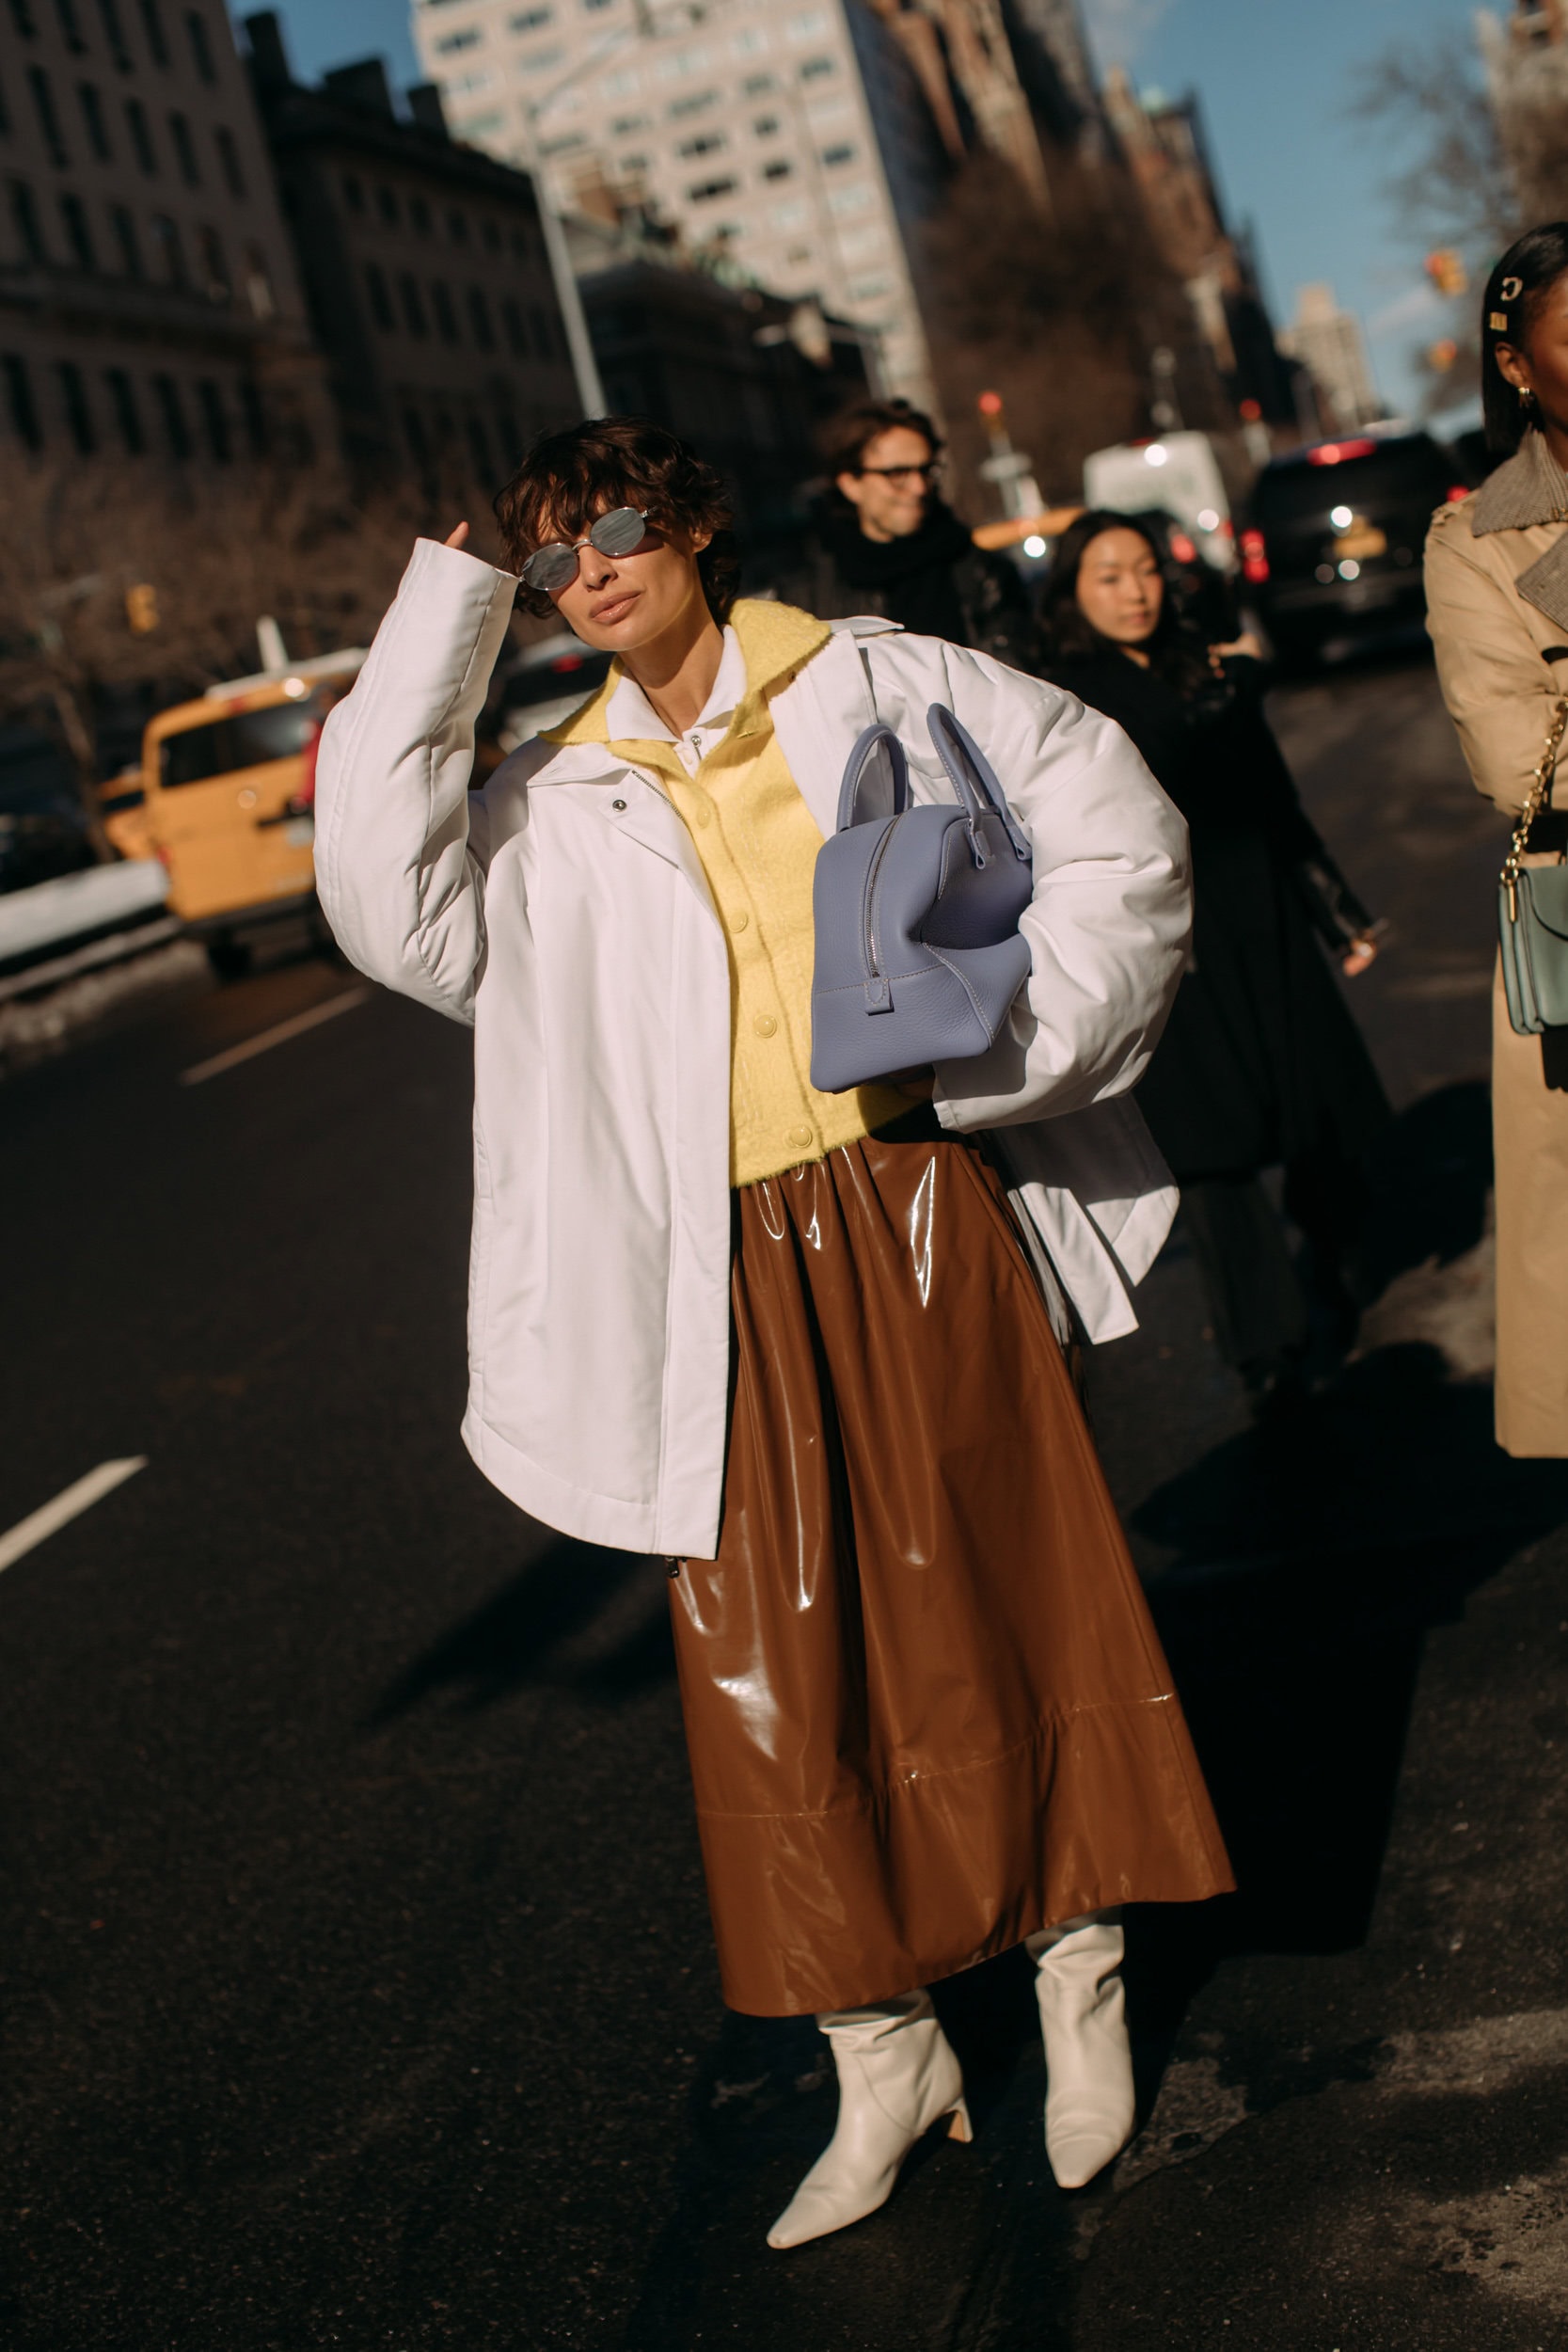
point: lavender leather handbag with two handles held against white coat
(916, 911)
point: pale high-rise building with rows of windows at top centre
(798, 142)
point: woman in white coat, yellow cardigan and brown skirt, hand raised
(793, 1342)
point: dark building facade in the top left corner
(149, 302)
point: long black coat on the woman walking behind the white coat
(1261, 1060)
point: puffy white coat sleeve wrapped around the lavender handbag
(1111, 916)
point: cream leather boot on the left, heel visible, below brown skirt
(897, 2078)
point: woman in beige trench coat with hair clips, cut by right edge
(1499, 620)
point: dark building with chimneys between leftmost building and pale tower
(424, 269)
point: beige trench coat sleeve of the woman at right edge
(1501, 695)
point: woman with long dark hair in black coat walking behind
(1261, 1064)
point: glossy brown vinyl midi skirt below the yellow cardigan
(925, 1702)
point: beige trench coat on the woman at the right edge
(1503, 664)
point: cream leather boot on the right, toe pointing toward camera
(1090, 2062)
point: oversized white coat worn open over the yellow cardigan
(563, 911)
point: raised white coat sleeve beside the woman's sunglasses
(396, 869)
